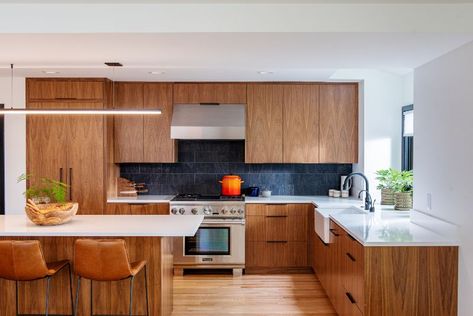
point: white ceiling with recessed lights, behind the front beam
(221, 56)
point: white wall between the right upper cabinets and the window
(380, 139)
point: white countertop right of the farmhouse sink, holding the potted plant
(395, 228)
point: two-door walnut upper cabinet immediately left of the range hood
(144, 138)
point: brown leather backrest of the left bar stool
(22, 260)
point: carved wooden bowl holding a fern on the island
(51, 214)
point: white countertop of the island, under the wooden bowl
(105, 225)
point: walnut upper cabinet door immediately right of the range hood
(264, 124)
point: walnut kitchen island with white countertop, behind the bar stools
(148, 237)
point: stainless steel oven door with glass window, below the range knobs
(217, 242)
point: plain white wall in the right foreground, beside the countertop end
(443, 151)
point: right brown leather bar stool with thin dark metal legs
(105, 260)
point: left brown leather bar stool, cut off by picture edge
(24, 261)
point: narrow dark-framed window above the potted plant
(407, 137)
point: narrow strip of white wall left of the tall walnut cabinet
(15, 145)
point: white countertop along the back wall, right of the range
(319, 201)
